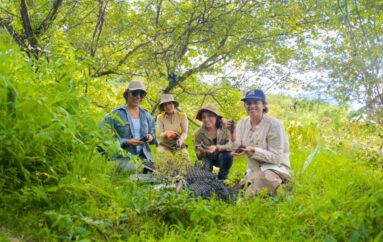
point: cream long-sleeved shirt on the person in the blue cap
(271, 145)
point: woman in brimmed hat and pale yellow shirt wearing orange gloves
(172, 126)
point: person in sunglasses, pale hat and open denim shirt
(132, 127)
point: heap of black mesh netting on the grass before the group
(204, 184)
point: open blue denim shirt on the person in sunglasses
(119, 122)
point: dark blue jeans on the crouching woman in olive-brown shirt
(223, 161)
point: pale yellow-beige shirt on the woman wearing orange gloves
(178, 122)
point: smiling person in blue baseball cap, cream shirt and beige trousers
(264, 142)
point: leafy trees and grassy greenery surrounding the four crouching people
(64, 64)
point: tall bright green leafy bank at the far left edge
(41, 123)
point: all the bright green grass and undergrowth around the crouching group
(55, 186)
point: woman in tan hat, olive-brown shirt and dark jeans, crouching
(213, 141)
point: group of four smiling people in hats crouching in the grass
(258, 136)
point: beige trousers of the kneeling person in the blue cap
(257, 181)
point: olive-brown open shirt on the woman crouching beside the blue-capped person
(223, 138)
